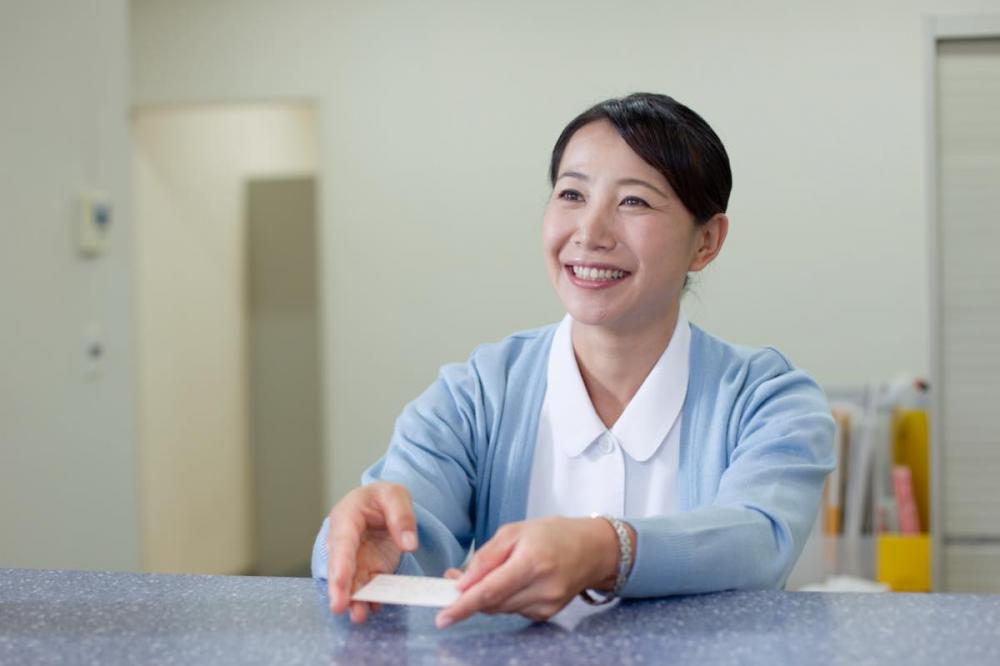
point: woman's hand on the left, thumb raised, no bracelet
(369, 530)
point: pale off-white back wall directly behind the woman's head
(438, 118)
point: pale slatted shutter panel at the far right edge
(968, 114)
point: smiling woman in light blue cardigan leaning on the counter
(621, 452)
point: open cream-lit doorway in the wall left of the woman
(230, 422)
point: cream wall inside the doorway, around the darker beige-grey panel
(190, 171)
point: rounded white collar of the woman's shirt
(648, 417)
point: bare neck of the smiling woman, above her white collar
(614, 363)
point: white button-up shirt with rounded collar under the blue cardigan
(630, 470)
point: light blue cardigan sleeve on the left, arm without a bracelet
(432, 454)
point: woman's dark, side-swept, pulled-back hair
(671, 138)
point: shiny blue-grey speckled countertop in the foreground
(109, 618)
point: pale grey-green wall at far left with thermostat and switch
(67, 444)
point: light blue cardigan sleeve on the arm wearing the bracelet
(768, 497)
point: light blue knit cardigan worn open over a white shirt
(756, 444)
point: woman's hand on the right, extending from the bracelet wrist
(535, 568)
